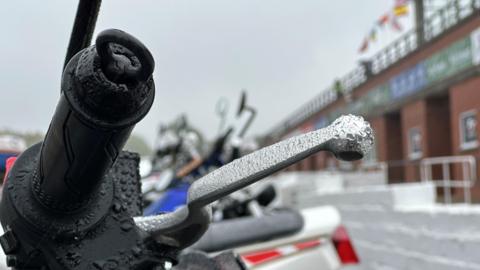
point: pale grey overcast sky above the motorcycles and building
(283, 52)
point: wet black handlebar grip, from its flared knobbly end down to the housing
(106, 90)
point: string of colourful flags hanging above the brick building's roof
(389, 18)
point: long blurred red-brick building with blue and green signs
(421, 96)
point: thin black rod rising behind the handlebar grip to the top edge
(83, 27)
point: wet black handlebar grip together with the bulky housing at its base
(68, 202)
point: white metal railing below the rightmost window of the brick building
(469, 174)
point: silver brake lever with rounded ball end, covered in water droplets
(348, 138)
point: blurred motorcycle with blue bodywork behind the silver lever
(163, 194)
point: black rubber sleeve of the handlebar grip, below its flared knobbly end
(74, 157)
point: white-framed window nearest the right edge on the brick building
(468, 130)
